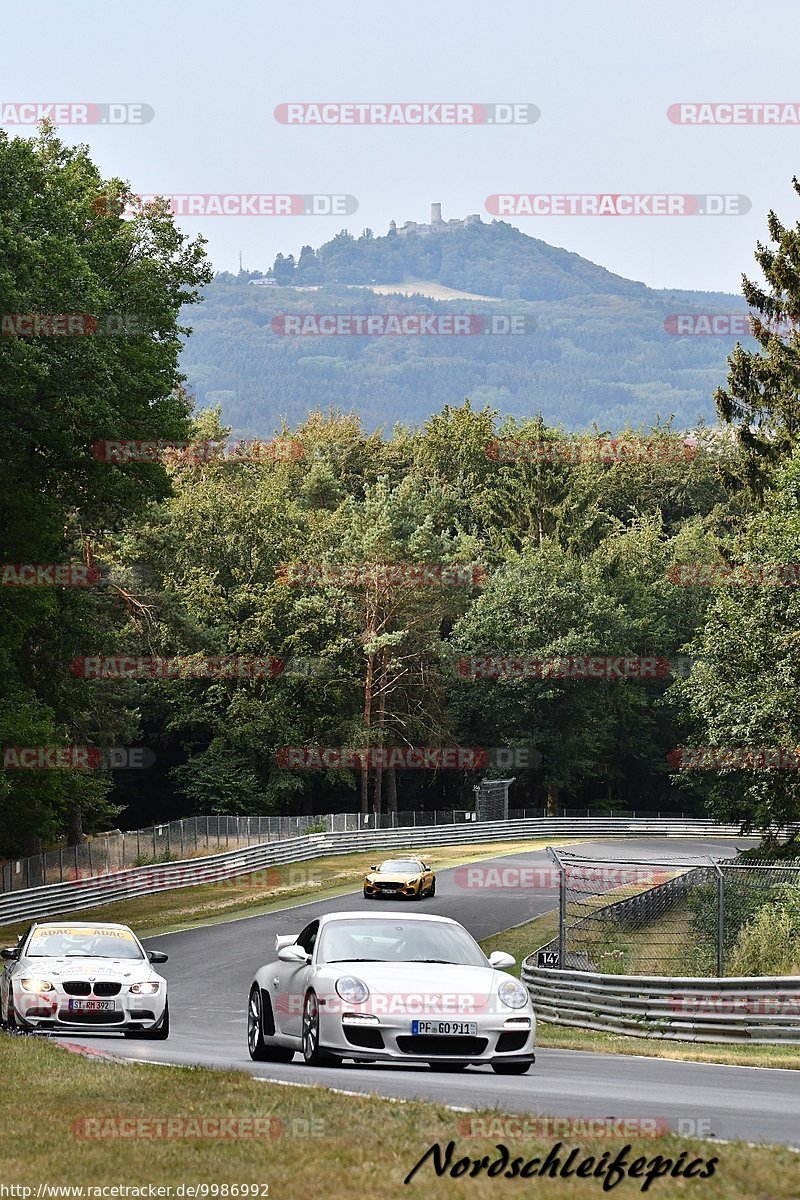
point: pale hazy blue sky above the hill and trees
(603, 73)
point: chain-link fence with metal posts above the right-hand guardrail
(691, 917)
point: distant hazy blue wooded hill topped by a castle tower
(597, 349)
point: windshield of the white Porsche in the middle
(395, 940)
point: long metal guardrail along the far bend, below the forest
(103, 889)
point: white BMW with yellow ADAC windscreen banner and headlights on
(75, 975)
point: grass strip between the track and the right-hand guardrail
(525, 939)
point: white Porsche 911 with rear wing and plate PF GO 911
(378, 988)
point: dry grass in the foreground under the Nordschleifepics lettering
(318, 1143)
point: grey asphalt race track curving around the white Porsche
(210, 970)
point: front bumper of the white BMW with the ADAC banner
(51, 1011)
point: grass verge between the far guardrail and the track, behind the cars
(275, 887)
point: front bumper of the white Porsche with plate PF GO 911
(498, 1039)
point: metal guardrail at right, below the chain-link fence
(761, 1011)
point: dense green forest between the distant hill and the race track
(293, 550)
